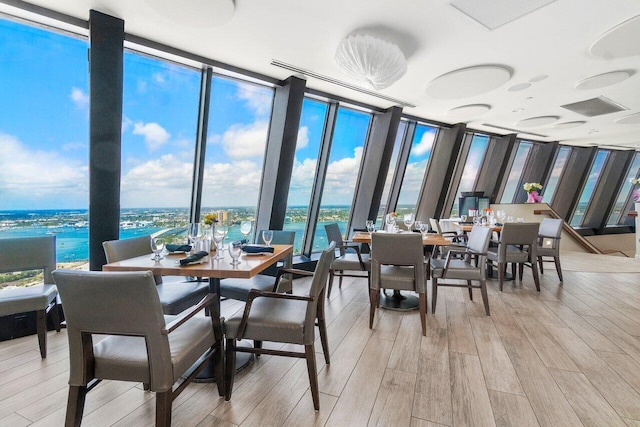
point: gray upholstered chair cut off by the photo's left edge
(31, 253)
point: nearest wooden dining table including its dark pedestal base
(214, 270)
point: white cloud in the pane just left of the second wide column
(245, 141)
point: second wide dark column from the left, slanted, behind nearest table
(281, 148)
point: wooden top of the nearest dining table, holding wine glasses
(249, 266)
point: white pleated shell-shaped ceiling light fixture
(374, 62)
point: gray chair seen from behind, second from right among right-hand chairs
(518, 245)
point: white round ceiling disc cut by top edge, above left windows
(200, 14)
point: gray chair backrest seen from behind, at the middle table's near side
(397, 249)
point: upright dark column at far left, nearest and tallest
(105, 127)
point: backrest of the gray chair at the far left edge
(29, 253)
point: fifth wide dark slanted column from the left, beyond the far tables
(493, 171)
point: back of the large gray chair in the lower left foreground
(114, 303)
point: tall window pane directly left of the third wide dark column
(350, 134)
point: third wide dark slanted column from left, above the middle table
(374, 169)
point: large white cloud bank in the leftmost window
(40, 178)
